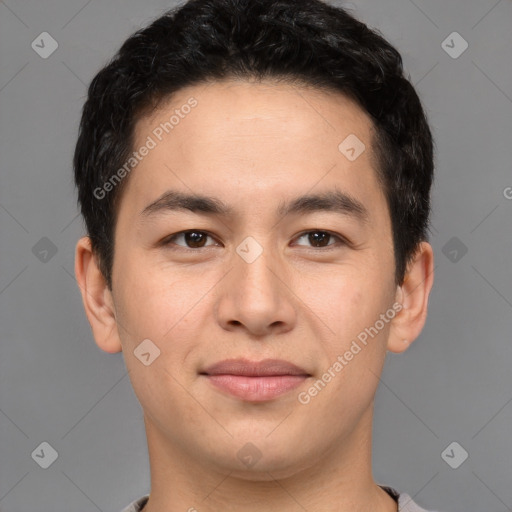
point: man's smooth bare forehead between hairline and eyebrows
(265, 139)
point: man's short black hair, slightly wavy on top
(306, 42)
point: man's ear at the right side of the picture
(413, 295)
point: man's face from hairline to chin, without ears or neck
(254, 269)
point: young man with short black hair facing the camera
(255, 181)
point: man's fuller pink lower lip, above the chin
(256, 389)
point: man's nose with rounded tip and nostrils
(256, 297)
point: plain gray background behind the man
(453, 384)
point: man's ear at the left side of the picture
(97, 298)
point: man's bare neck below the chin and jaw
(339, 480)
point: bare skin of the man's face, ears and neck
(253, 145)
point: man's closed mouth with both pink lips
(255, 381)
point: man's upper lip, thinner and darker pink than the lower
(248, 368)
